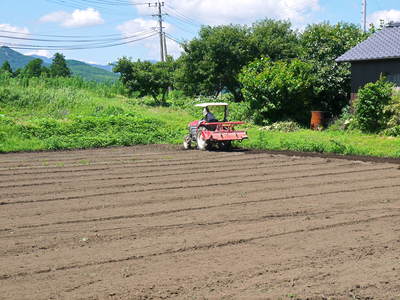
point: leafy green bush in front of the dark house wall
(370, 106)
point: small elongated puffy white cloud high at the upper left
(78, 18)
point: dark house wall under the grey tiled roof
(364, 72)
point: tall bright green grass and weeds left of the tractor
(63, 113)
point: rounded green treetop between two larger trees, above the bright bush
(274, 39)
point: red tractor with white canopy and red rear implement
(209, 132)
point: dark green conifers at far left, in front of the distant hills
(35, 68)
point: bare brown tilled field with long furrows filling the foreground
(157, 222)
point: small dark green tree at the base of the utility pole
(147, 78)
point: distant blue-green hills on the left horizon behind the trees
(78, 68)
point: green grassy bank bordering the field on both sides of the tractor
(40, 114)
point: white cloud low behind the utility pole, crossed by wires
(139, 26)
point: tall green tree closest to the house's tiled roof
(321, 44)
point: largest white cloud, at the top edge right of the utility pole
(214, 12)
